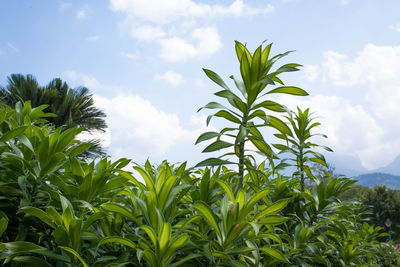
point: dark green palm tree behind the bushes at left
(74, 107)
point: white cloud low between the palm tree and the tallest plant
(138, 129)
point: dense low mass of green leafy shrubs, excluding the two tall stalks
(59, 210)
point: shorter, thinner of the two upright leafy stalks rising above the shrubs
(298, 143)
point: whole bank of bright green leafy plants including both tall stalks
(58, 208)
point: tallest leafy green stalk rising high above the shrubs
(248, 107)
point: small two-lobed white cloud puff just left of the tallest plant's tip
(207, 42)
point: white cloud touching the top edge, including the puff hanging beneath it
(169, 24)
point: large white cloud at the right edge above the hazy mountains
(372, 132)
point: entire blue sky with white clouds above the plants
(142, 61)
